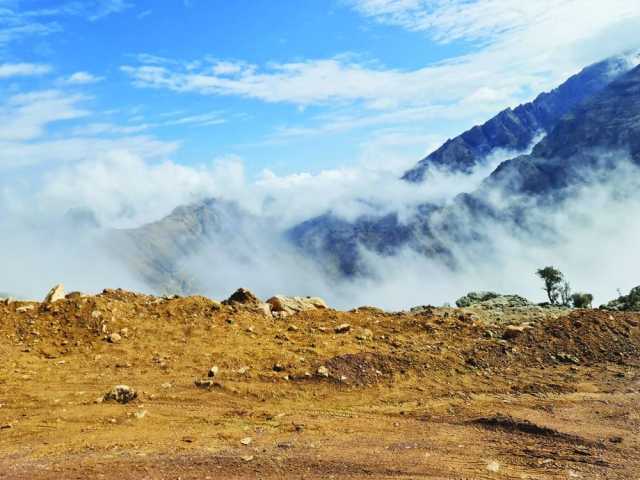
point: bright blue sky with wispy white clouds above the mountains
(199, 95)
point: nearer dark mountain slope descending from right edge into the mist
(596, 136)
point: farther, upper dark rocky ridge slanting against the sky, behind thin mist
(516, 129)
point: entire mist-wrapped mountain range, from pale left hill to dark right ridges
(587, 123)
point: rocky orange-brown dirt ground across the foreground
(438, 393)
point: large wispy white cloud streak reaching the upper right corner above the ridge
(524, 49)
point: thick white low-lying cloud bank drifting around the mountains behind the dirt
(591, 238)
